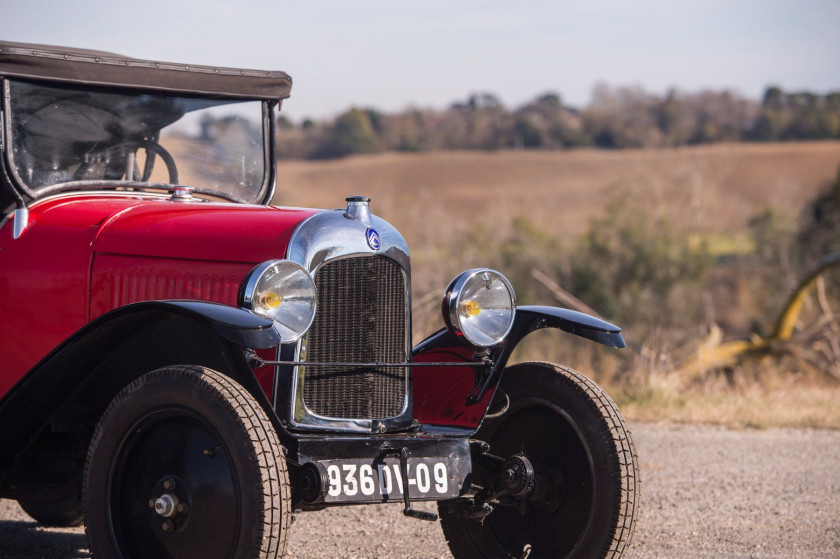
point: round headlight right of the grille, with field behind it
(480, 304)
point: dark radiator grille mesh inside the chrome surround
(360, 319)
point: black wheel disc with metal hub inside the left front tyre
(174, 492)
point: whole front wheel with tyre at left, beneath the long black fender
(185, 463)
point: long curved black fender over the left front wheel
(85, 372)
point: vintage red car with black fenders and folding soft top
(184, 365)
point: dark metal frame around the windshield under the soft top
(19, 187)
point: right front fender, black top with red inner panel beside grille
(460, 396)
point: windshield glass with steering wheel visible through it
(64, 136)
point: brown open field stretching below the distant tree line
(706, 188)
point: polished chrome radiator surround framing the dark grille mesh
(322, 238)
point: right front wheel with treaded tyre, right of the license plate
(575, 436)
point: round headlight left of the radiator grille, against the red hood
(283, 291)
